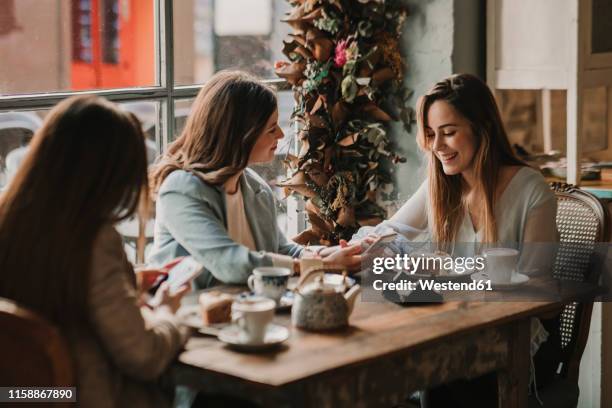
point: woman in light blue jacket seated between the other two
(210, 205)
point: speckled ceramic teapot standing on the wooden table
(321, 306)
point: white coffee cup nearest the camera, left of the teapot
(253, 315)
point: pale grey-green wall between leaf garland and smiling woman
(440, 37)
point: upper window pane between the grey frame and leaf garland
(227, 34)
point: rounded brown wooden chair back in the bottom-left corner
(32, 351)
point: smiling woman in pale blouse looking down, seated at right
(478, 194)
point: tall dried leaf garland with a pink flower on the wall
(346, 72)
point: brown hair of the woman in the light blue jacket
(227, 117)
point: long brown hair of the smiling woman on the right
(471, 98)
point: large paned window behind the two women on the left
(147, 55)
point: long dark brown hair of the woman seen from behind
(85, 167)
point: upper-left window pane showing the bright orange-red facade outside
(76, 45)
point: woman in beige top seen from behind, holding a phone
(60, 256)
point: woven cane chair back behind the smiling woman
(582, 221)
